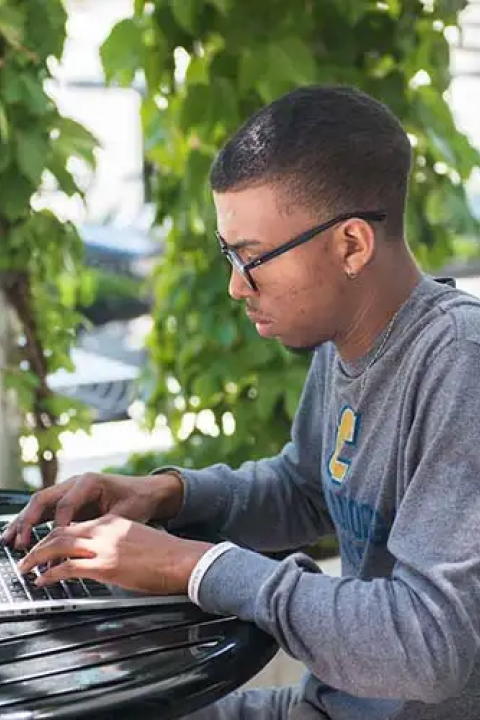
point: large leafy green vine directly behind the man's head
(207, 65)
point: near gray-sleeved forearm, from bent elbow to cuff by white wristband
(387, 642)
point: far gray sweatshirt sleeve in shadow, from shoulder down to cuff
(272, 504)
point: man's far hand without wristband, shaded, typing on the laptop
(92, 495)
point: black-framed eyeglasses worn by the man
(245, 268)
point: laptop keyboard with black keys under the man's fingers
(15, 587)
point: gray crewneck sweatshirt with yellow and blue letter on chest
(387, 453)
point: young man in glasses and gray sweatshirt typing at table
(310, 197)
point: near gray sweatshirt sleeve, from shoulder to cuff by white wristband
(412, 635)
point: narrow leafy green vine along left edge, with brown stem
(40, 260)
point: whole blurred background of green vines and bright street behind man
(119, 348)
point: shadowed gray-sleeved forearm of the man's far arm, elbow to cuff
(264, 505)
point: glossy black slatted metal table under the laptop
(155, 663)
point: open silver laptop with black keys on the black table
(19, 596)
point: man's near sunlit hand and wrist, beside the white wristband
(118, 551)
